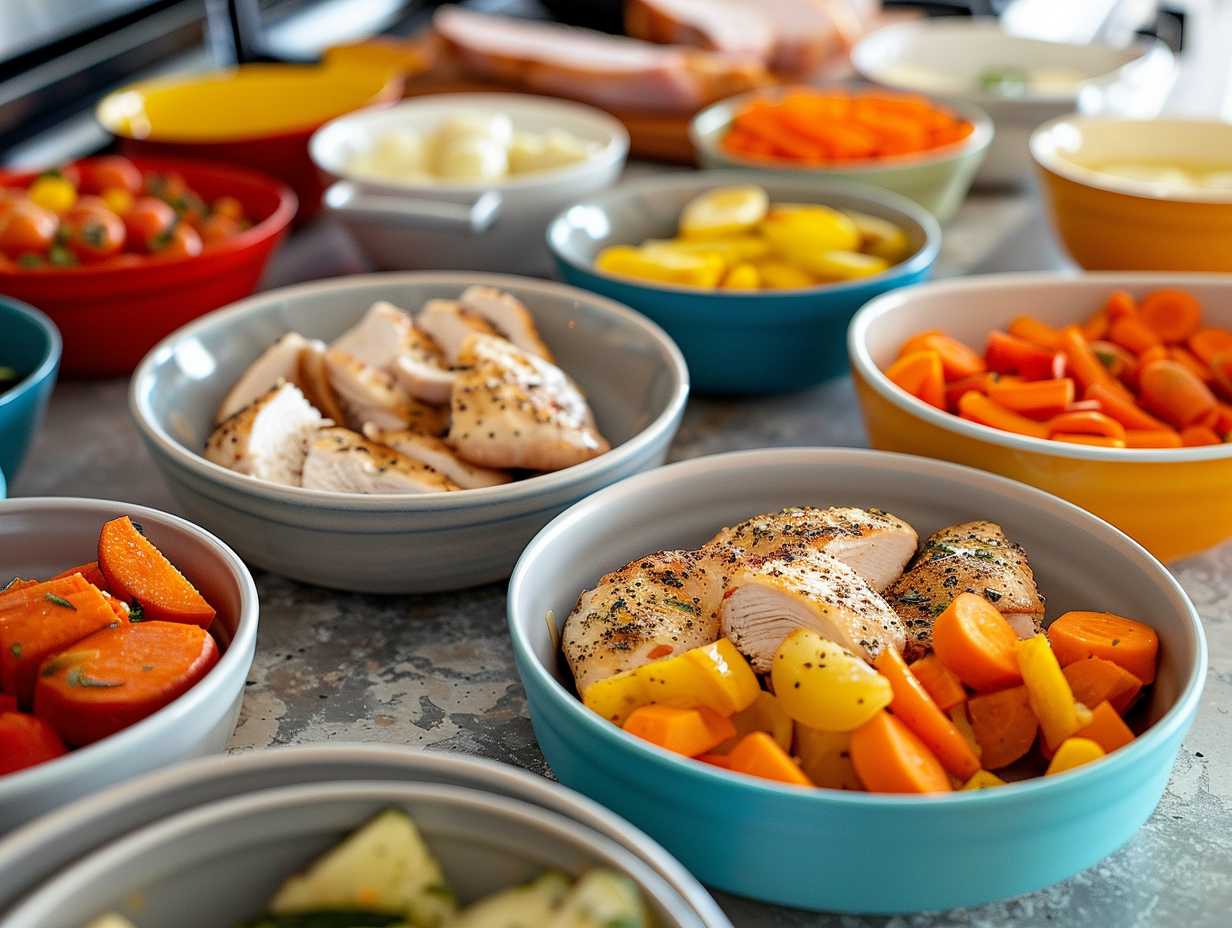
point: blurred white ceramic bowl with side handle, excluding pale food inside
(444, 226)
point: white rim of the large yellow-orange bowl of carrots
(888, 304)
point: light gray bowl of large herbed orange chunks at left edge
(126, 637)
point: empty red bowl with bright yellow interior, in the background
(259, 116)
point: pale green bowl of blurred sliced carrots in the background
(925, 149)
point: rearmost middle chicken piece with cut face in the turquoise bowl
(877, 545)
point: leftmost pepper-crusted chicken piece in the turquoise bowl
(654, 608)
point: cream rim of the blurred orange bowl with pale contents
(1044, 152)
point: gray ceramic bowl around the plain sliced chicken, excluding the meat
(631, 372)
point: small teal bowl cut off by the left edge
(31, 344)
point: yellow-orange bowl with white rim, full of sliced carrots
(1111, 390)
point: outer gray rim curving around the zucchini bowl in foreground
(46, 847)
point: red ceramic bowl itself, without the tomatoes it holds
(110, 316)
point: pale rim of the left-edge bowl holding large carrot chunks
(237, 655)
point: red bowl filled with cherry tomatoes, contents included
(123, 252)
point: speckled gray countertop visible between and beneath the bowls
(438, 671)
